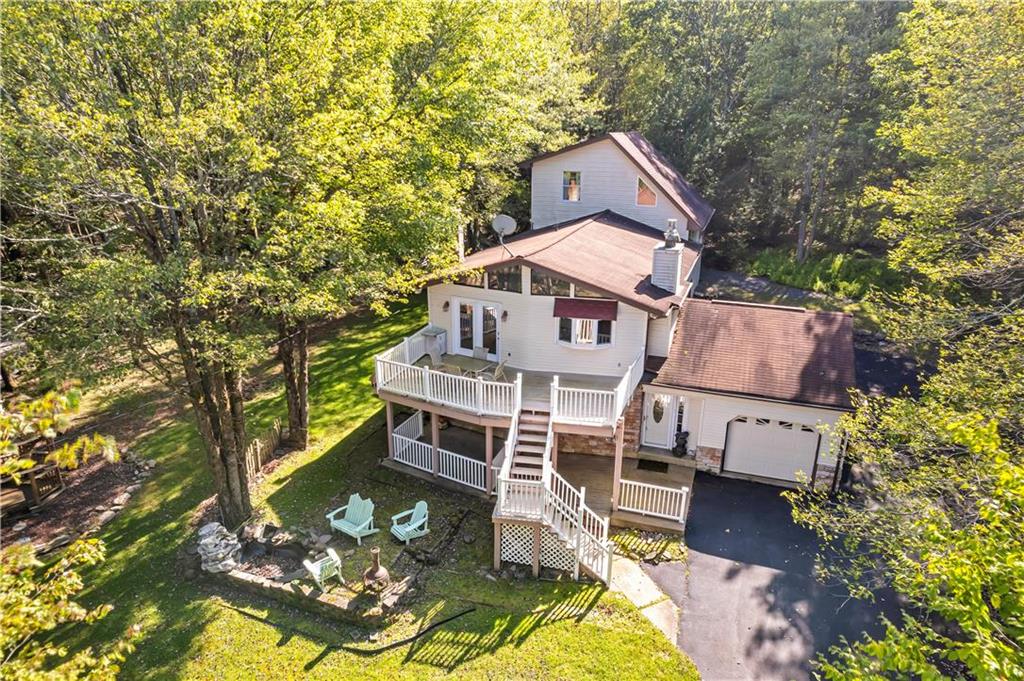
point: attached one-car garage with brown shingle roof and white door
(763, 389)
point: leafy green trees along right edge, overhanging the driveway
(936, 506)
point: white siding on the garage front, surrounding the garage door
(708, 417)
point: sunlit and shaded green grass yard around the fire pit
(192, 629)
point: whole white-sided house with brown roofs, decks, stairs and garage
(571, 374)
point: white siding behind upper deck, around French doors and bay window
(530, 338)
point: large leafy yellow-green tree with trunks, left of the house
(272, 164)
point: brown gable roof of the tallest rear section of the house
(654, 164)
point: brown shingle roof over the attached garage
(783, 354)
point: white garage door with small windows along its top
(767, 448)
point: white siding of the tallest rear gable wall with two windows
(609, 182)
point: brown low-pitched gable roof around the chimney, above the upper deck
(607, 252)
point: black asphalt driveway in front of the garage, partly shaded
(751, 606)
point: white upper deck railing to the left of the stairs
(395, 372)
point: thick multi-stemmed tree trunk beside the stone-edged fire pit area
(216, 396)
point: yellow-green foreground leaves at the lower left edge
(37, 599)
